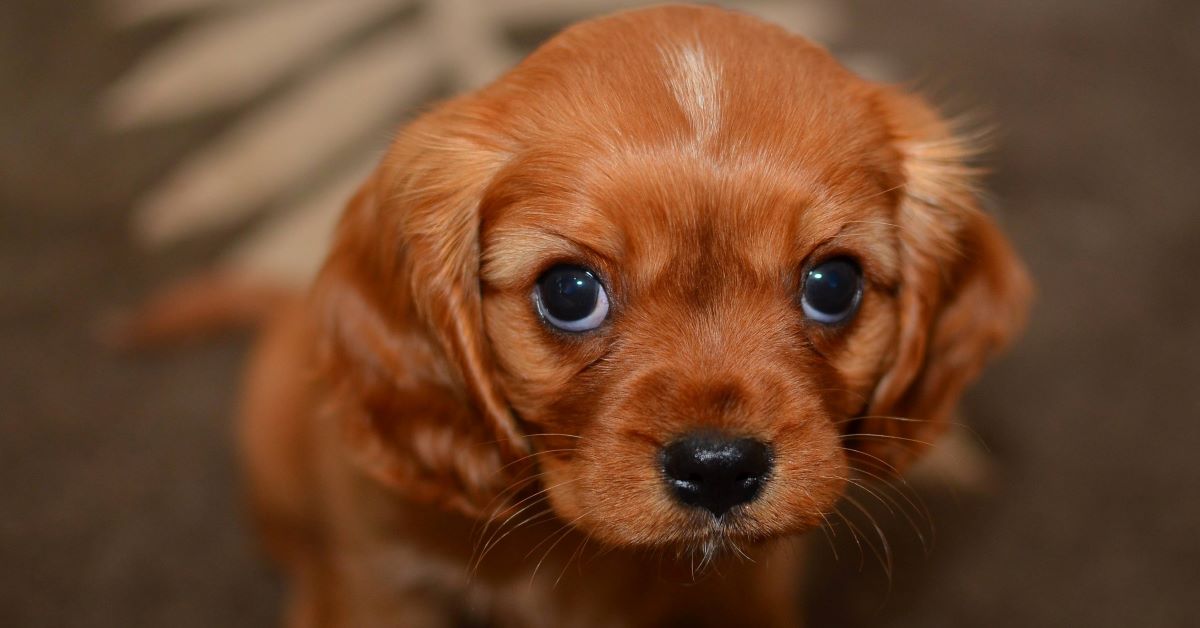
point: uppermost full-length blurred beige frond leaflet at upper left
(227, 59)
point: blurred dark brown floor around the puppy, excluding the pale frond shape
(117, 501)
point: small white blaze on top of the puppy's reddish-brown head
(695, 81)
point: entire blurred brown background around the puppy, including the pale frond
(142, 141)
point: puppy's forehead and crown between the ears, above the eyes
(663, 135)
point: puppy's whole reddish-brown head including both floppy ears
(686, 260)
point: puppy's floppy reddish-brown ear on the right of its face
(964, 294)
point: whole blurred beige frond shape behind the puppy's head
(344, 85)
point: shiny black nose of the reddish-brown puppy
(716, 474)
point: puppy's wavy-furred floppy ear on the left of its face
(404, 346)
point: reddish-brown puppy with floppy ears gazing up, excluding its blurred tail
(596, 342)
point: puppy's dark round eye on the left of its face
(572, 298)
